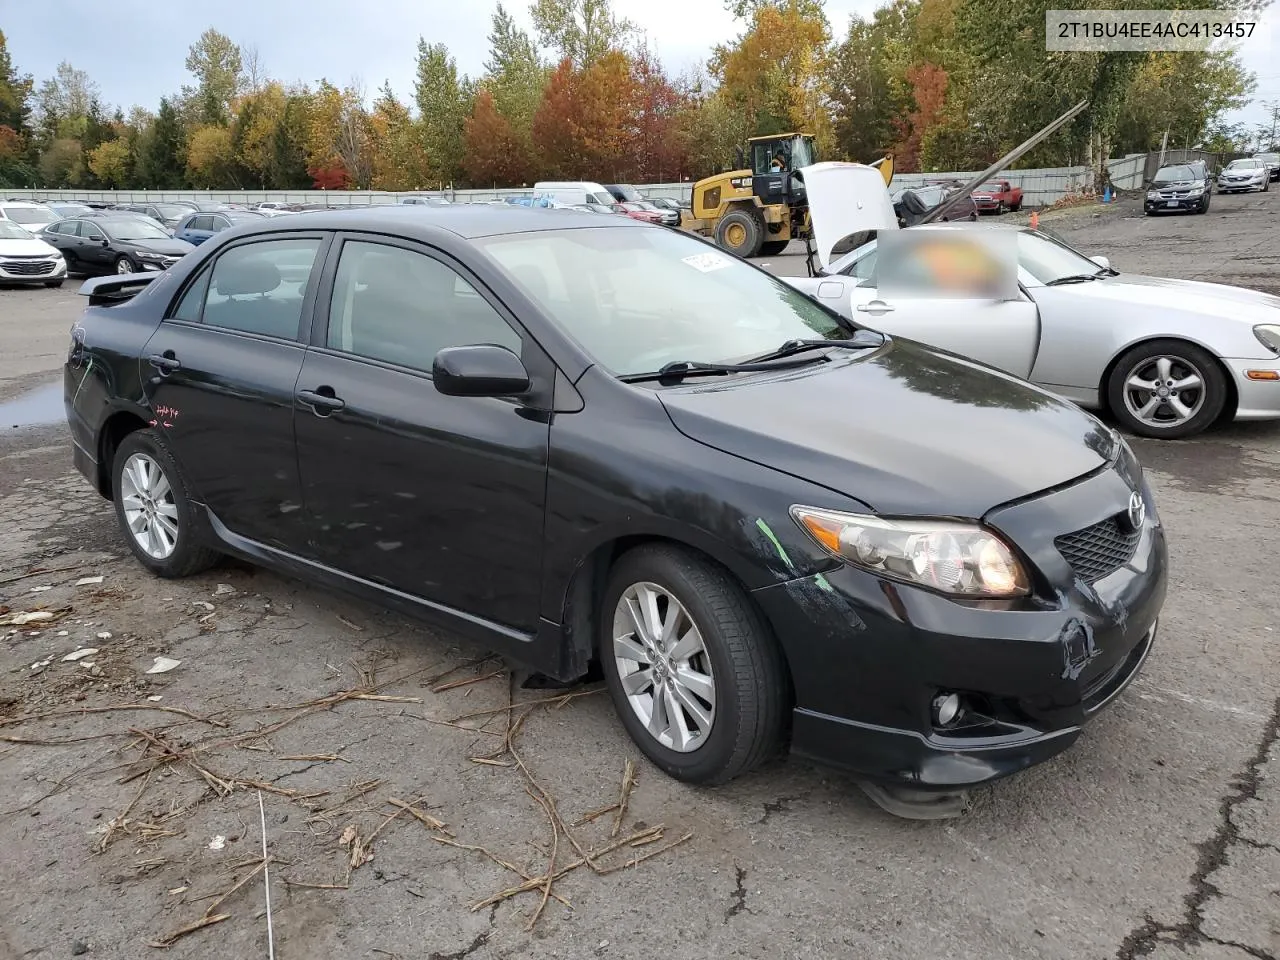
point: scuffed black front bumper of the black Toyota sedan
(868, 657)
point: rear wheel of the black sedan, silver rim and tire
(154, 509)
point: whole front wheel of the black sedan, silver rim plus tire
(693, 670)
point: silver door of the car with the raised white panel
(1002, 333)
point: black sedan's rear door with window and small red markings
(220, 376)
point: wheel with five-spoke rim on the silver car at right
(1169, 390)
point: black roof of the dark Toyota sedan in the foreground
(465, 221)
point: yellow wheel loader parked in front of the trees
(758, 211)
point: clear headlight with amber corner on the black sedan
(957, 559)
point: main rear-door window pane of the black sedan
(259, 287)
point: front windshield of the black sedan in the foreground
(638, 300)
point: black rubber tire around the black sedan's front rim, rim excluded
(749, 674)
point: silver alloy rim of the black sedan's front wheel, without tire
(664, 668)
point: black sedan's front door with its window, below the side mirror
(433, 496)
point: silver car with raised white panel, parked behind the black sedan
(1167, 358)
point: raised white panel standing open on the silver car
(847, 202)
